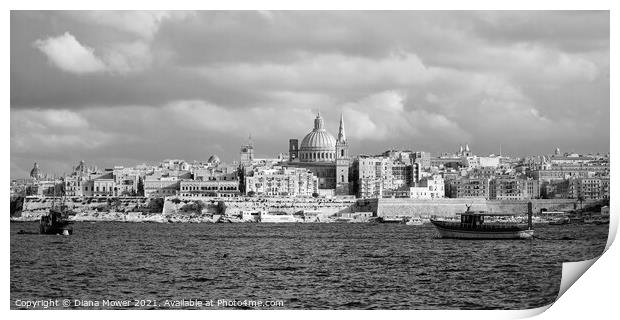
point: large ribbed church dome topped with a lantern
(318, 145)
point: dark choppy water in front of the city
(307, 266)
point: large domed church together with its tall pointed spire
(325, 156)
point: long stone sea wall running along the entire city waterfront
(208, 209)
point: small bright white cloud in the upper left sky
(66, 53)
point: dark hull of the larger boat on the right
(487, 234)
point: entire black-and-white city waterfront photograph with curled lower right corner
(305, 160)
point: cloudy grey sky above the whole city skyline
(132, 87)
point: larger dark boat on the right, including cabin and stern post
(484, 225)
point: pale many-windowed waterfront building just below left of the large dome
(282, 181)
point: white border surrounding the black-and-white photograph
(592, 296)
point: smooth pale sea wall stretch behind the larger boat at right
(452, 206)
